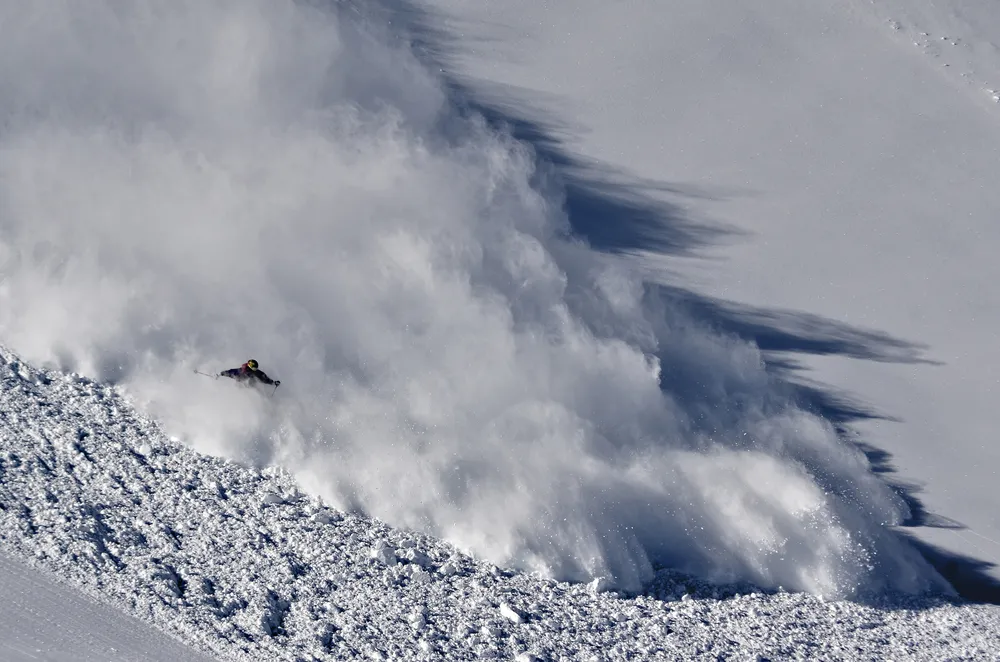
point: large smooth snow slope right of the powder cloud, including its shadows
(849, 148)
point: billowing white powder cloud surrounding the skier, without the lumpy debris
(187, 184)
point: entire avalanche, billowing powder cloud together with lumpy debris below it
(492, 425)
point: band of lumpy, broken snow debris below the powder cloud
(241, 564)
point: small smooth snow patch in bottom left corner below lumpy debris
(42, 620)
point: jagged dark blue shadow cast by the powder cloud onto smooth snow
(618, 213)
